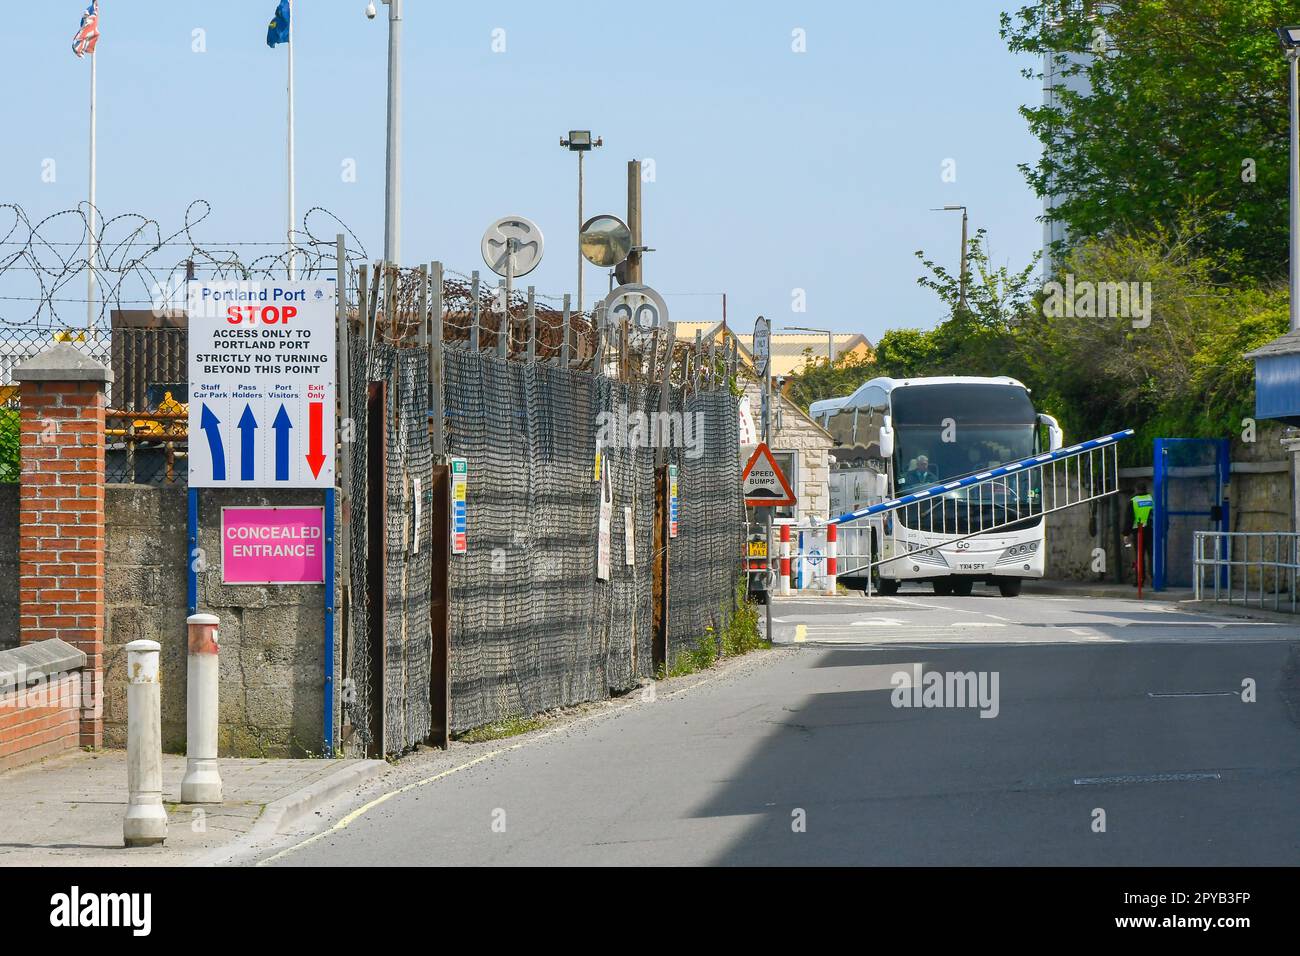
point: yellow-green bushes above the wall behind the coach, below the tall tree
(1181, 377)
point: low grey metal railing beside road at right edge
(1233, 550)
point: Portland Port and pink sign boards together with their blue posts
(263, 366)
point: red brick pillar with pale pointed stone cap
(62, 511)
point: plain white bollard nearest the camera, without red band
(146, 820)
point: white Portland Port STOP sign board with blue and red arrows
(262, 384)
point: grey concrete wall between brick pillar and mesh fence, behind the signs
(272, 638)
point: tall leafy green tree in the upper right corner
(1180, 96)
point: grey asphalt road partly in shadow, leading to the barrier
(1119, 713)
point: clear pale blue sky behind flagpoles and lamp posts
(774, 171)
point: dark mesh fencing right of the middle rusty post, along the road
(532, 625)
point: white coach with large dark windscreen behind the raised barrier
(896, 436)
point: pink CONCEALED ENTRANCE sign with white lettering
(274, 546)
